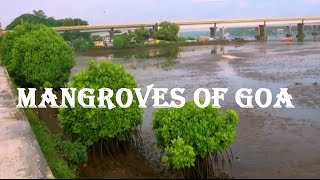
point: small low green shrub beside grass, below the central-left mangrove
(74, 152)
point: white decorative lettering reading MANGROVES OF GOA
(104, 97)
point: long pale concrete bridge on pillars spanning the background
(212, 24)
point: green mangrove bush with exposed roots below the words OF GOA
(206, 130)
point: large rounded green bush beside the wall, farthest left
(41, 57)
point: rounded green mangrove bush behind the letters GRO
(91, 126)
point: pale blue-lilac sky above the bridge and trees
(135, 11)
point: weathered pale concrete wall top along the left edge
(20, 154)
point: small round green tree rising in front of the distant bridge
(168, 31)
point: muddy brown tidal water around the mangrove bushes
(273, 143)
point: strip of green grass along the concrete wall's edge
(48, 143)
